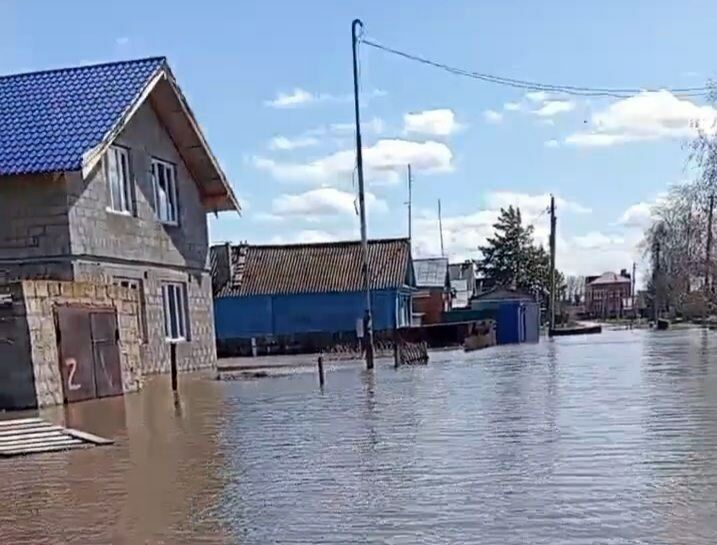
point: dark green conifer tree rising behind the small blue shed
(512, 258)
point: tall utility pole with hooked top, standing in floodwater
(368, 321)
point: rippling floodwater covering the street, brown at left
(603, 439)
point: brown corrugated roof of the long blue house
(312, 268)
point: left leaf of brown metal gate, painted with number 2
(76, 359)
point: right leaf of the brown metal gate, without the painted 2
(108, 371)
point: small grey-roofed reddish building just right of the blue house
(433, 295)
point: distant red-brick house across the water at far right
(608, 295)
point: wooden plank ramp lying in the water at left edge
(34, 435)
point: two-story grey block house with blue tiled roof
(106, 176)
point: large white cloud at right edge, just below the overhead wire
(650, 115)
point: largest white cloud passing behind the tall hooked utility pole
(382, 161)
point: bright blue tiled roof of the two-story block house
(49, 119)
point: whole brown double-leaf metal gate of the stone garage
(89, 355)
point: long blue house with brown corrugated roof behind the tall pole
(275, 290)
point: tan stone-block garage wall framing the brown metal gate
(35, 302)
